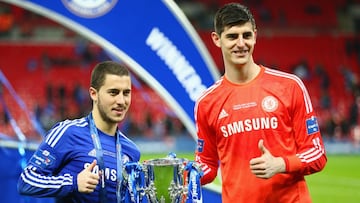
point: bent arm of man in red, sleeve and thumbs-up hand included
(309, 156)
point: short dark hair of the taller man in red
(232, 14)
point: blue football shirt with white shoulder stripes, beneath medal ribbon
(65, 151)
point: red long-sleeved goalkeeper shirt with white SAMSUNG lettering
(232, 118)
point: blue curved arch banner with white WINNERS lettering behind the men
(154, 38)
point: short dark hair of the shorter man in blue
(102, 69)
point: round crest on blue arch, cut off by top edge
(89, 9)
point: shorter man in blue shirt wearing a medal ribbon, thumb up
(81, 160)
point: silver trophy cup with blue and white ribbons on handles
(162, 180)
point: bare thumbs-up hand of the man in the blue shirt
(87, 180)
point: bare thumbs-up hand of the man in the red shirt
(266, 166)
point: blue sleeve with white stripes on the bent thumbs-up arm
(42, 177)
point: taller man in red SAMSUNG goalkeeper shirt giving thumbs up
(255, 123)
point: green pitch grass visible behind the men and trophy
(338, 182)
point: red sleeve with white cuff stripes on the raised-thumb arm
(310, 156)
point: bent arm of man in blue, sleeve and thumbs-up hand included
(48, 173)
